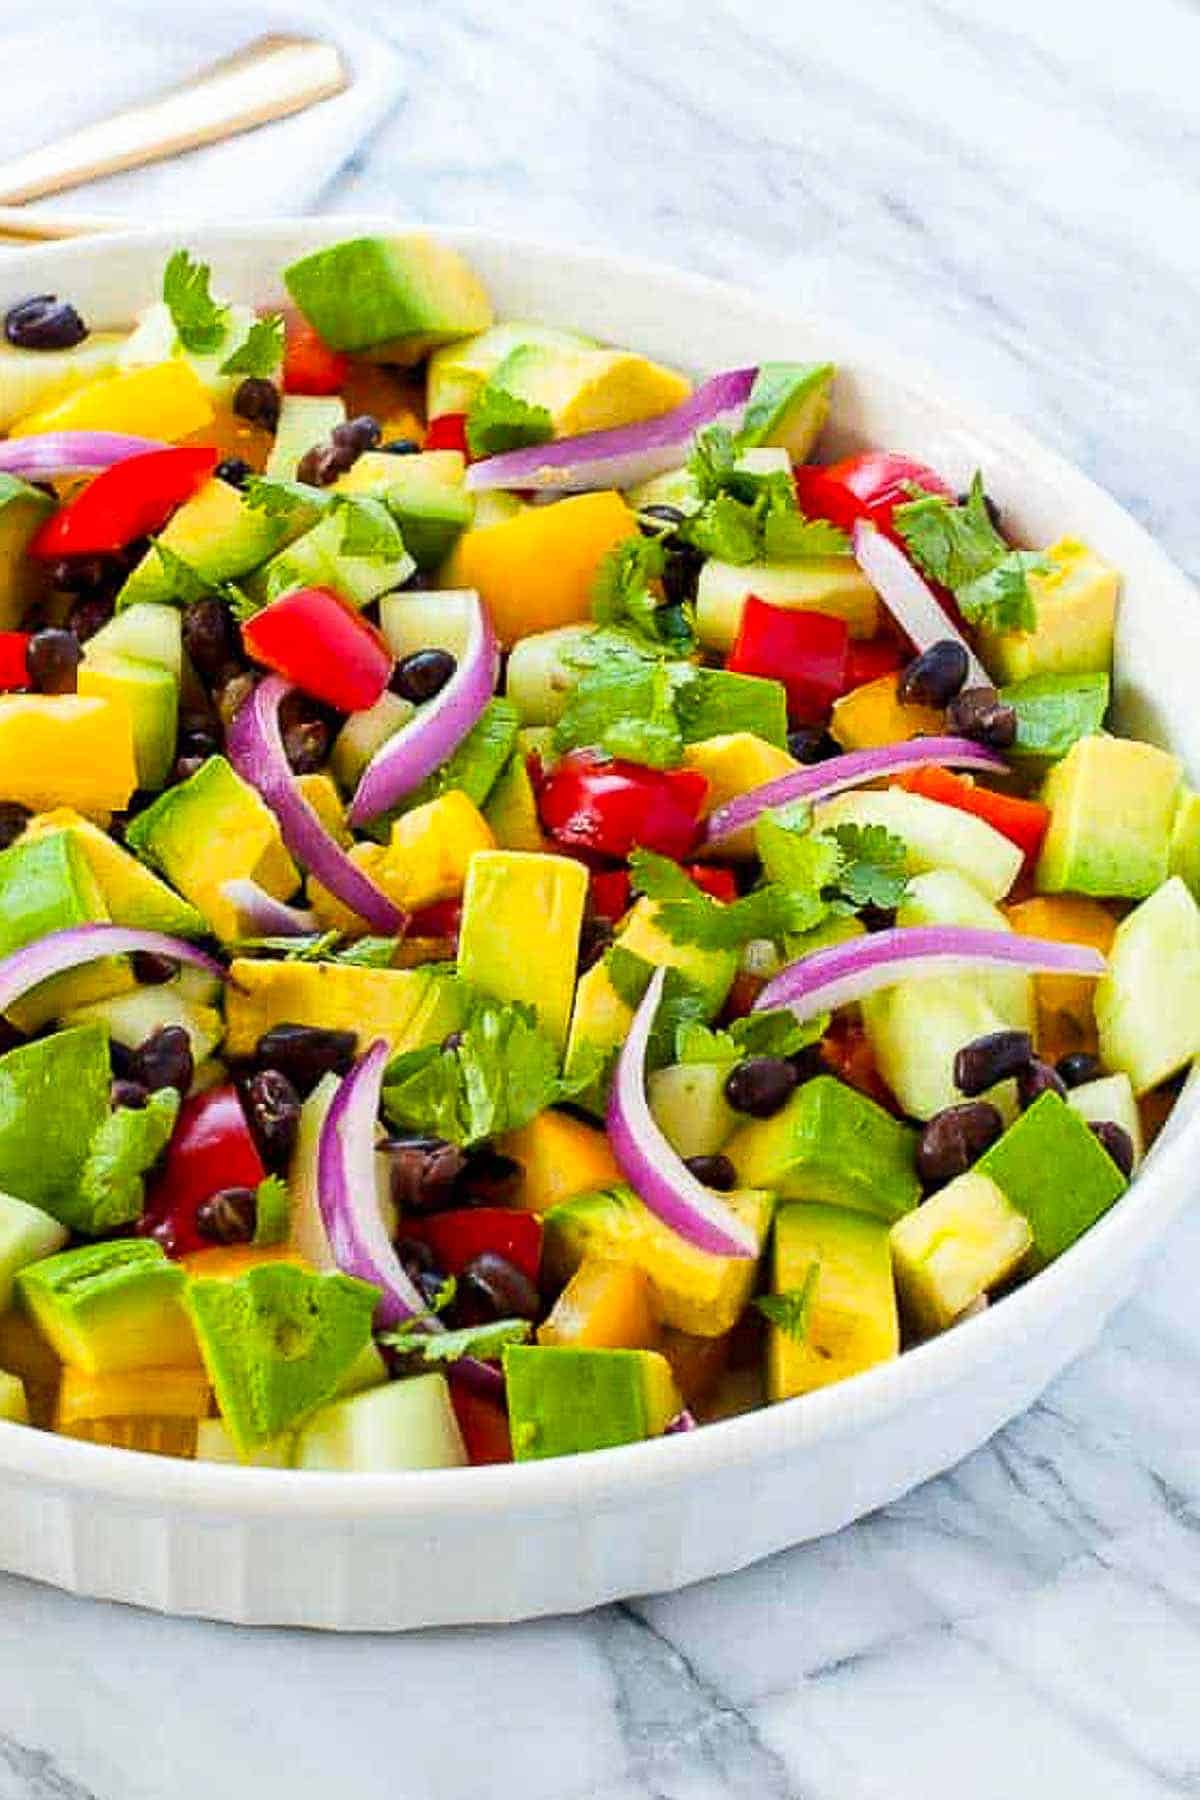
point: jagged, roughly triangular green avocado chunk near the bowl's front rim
(278, 1342)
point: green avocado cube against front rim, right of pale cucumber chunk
(564, 1399)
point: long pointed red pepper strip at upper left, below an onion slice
(127, 501)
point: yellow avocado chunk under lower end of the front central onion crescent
(694, 1290)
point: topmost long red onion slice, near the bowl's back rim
(627, 454)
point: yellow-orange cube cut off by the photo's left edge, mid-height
(66, 750)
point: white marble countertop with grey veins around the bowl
(1010, 192)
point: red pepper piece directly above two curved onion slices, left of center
(323, 645)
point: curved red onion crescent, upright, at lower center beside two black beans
(649, 1162)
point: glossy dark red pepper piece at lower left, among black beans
(211, 1149)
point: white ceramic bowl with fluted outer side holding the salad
(393, 1552)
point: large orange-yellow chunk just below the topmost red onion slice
(537, 570)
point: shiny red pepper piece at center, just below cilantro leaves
(607, 805)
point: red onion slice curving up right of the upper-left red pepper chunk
(436, 730)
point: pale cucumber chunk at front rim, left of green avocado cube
(407, 1425)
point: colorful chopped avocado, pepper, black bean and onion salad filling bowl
(537, 910)
